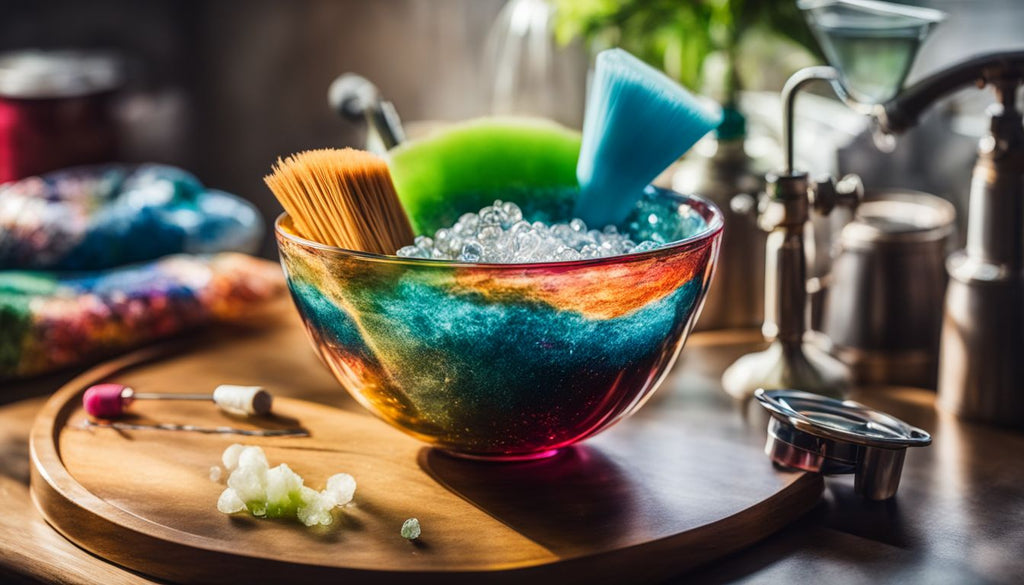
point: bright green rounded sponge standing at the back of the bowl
(468, 165)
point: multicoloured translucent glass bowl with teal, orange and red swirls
(502, 361)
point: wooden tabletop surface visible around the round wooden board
(959, 517)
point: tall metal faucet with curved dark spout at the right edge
(982, 358)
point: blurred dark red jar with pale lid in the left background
(56, 111)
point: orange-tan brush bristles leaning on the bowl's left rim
(343, 198)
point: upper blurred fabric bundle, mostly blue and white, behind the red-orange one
(95, 218)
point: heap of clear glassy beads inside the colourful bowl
(498, 234)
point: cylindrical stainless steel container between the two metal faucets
(883, 313)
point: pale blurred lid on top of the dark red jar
(36, 74)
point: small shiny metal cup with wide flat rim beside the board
(826, 436)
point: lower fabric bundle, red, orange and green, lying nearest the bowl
(50, 321)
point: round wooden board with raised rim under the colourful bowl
(672, 488)
